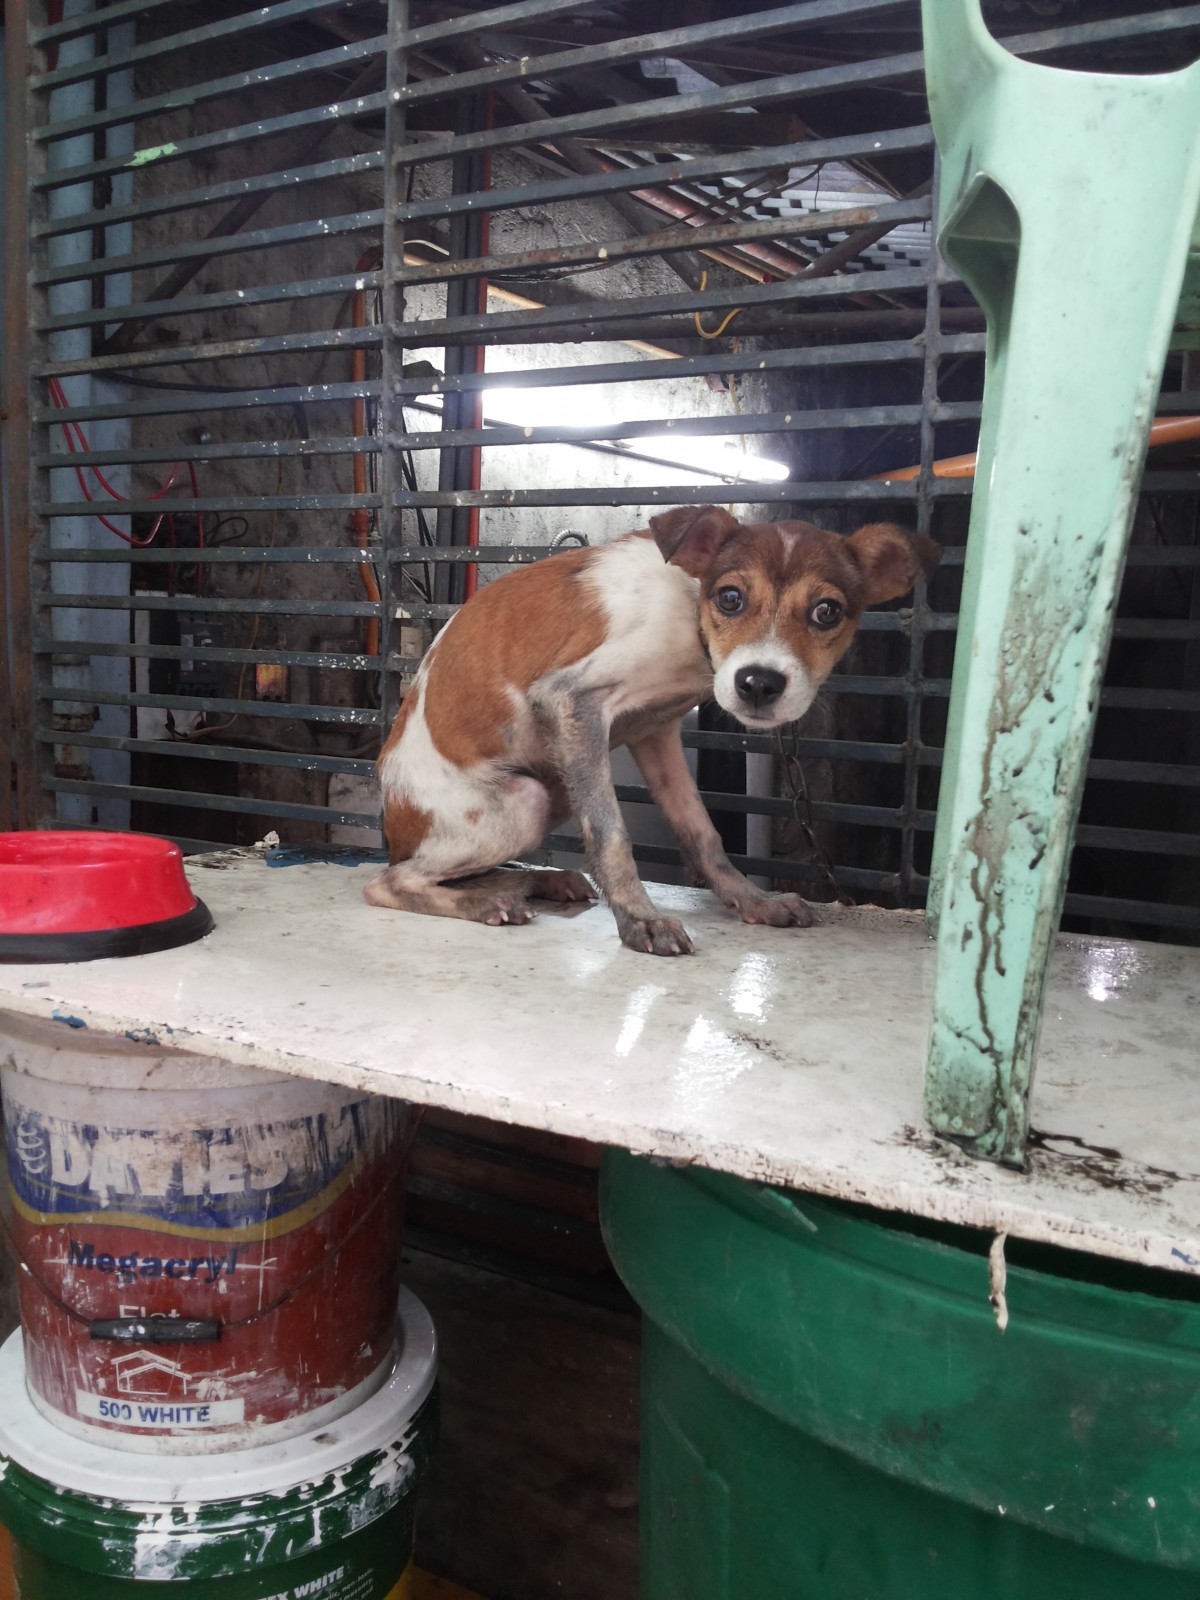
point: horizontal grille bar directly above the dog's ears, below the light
(670, 495)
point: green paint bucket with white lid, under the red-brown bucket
(324, 1514)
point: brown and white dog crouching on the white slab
(508, 727)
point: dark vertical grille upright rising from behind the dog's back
(393, 356)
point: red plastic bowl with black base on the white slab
(94, 895)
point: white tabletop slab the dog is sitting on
(780, 1055)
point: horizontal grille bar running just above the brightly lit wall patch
(887, 281)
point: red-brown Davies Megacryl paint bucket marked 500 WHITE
(212, 1254)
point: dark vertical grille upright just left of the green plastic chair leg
(921, 610)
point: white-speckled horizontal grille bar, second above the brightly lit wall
(678, 236)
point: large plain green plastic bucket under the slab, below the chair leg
(833, 1414)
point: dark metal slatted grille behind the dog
(279, 263)
